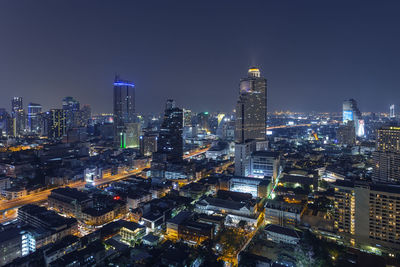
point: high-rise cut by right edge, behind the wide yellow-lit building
(387, 155)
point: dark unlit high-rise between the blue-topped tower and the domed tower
(170, 140)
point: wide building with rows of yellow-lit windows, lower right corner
(367, 214)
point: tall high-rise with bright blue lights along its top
(124, 109)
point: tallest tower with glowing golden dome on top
(251, 108)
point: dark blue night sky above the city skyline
(314, 54)
